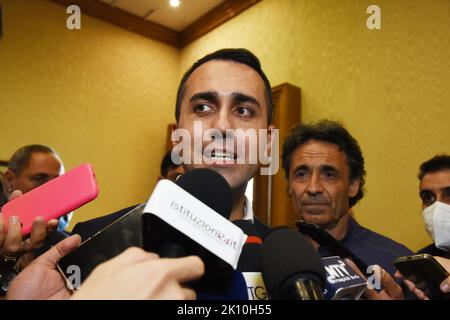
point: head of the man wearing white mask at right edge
(435, 194)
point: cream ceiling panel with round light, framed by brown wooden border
(161, 12)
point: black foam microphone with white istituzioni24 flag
(191, 218)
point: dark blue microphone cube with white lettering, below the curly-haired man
(342, 282)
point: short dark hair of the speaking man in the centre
(242, 56)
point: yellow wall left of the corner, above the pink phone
(101, 95)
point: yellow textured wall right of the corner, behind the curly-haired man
(389, 87)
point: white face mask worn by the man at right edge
(437, 224)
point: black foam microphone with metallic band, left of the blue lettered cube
(291, 268)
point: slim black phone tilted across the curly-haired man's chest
(333, 246)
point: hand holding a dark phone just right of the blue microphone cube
(390, 289)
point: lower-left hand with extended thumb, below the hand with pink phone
(41, 280)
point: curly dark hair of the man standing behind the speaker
(331, 132)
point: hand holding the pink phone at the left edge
(11, 242)
